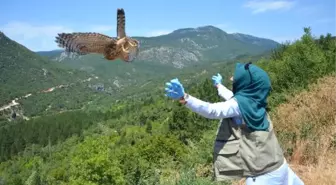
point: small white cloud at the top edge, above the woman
(260, 6)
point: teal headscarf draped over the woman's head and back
(251, 87)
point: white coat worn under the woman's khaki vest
(229, 109)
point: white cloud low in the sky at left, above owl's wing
(42, 37)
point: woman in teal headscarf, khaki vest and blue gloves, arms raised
(245, 146)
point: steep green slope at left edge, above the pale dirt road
(23, 71)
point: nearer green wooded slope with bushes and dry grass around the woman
(151, 140)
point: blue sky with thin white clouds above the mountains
(36, 23)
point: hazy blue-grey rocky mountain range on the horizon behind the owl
(168, 54)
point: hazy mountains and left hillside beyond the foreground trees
(39, 85)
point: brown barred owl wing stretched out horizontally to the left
(84, 43)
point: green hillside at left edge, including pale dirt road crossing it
(34, 84)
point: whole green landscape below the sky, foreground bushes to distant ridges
(88, 121)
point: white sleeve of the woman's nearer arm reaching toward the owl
(227, 109)
